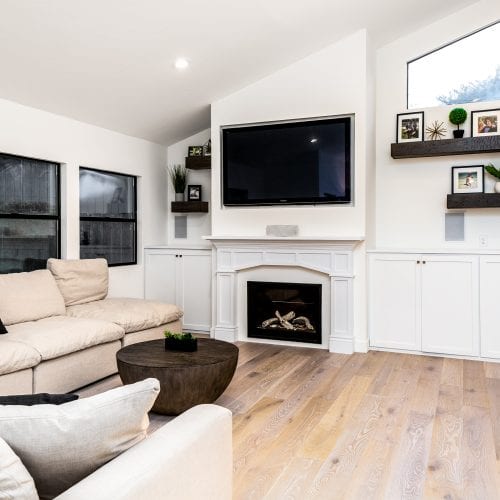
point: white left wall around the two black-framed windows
(33, 133)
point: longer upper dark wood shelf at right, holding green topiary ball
(445, 147)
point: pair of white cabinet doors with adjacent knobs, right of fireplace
(425, 302)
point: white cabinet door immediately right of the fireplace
(394, 303)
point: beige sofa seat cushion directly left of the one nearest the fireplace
(60, 335)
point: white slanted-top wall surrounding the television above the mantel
(329, 82)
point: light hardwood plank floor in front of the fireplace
(310, 424)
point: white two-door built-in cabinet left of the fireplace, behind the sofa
(183, 277)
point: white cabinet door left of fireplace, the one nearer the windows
(162, 277)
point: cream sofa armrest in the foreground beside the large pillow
(188, 458)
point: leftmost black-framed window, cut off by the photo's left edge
(30, 214)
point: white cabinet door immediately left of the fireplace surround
(196, 290)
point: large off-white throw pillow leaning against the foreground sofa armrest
(60, 445)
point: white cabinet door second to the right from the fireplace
(450, 304)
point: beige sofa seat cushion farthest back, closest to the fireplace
(131, 314)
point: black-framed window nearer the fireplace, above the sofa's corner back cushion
(108, 216)
